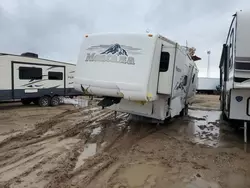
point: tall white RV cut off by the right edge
(235, 69)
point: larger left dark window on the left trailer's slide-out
(28, 73)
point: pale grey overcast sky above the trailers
(55, 29)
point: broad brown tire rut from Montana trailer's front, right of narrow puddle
(116, 149)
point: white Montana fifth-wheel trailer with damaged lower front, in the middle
(146, 75)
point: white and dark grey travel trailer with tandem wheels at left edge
(36, 80)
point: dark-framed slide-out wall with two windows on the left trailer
(50, 80)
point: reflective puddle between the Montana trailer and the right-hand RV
(206, 128)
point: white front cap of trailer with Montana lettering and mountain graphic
(116, 65)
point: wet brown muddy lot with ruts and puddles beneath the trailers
(71, 147)
